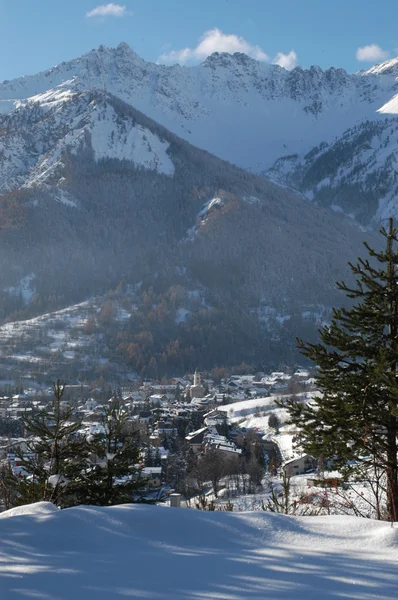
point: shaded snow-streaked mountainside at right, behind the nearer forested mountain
(356, 174)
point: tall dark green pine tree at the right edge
(354, 421)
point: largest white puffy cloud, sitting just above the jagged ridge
(214, 40)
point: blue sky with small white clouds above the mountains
(353, 34)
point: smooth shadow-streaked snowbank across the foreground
(136, 551)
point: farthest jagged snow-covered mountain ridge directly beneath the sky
(242, 110)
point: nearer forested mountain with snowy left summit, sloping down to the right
(93, 192)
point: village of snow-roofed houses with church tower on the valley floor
(206, 441)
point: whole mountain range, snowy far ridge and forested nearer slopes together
(106, 175)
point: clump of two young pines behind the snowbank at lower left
(62, 465)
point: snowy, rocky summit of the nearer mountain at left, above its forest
(37, 135)
